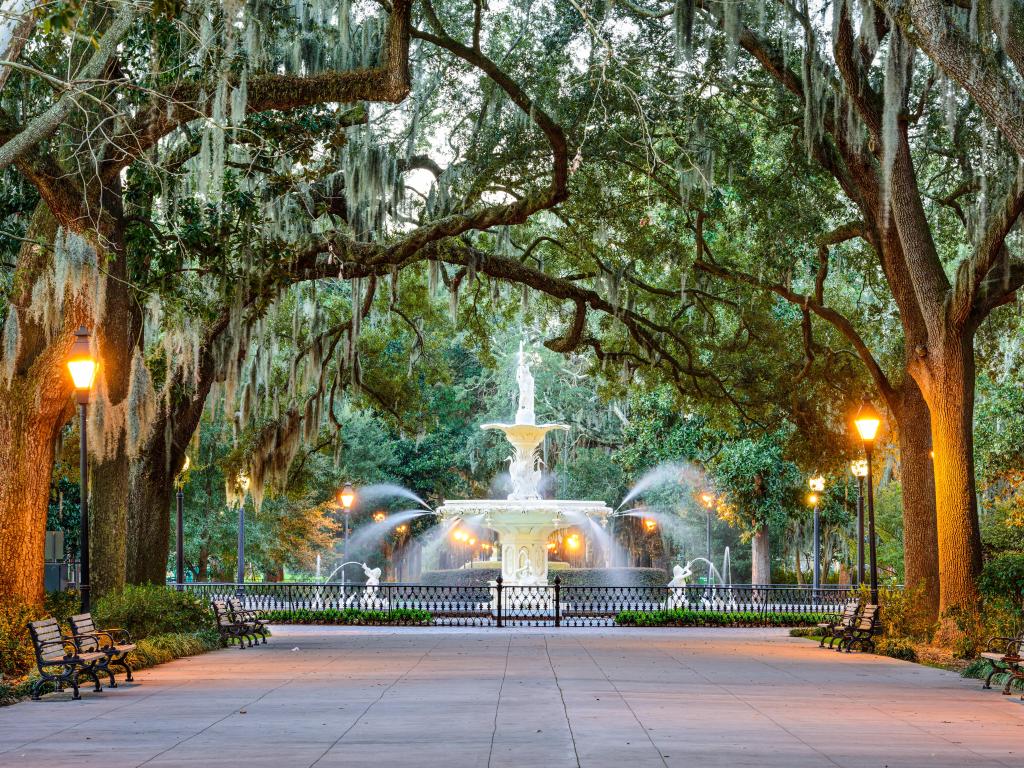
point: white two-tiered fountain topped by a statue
(524, 522)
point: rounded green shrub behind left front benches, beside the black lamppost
(150, 610)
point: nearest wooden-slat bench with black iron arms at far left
(62, 659)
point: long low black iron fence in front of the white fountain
(550, 606)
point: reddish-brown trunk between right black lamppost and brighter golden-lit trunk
(921, 554)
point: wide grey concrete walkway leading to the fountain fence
(523, 698)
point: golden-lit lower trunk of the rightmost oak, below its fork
(951, 399)
